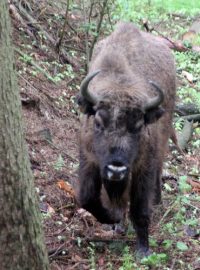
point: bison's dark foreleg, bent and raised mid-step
(89, 195)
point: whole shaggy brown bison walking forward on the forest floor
(128, 100)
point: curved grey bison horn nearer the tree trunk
(84, 87)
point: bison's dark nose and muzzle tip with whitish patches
(116, 171)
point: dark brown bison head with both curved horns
(119, 124)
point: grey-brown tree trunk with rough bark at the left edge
(21, 238)
